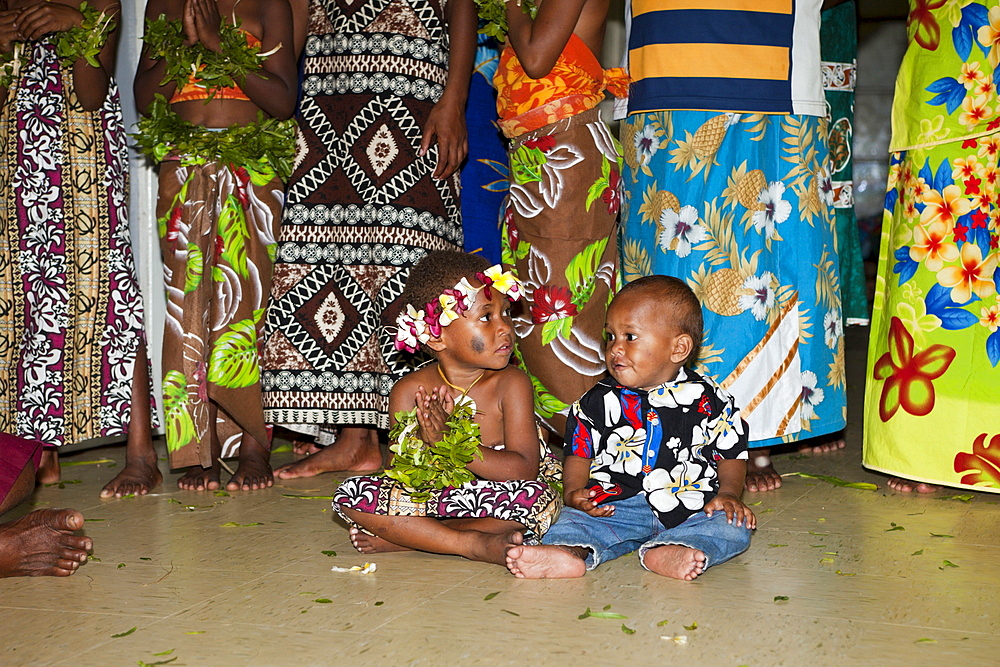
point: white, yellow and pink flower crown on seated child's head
(416, 327)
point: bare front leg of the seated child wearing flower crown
(426, 534)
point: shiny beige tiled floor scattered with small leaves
(195, 590)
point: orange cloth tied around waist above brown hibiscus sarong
(576, 83)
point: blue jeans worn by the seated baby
(635, 526)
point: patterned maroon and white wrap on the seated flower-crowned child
(532, 503)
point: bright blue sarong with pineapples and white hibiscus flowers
(739, 206)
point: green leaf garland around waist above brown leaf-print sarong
(266, 148)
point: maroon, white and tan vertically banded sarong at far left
(70, 307)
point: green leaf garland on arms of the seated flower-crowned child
(421, 467)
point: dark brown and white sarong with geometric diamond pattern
(362, 209)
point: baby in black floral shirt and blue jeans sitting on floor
(655, 454)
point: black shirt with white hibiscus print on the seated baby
(662, 443)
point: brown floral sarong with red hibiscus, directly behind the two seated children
(559, 237)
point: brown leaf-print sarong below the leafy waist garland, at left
(217, 236)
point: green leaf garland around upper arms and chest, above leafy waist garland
(165, 39)
